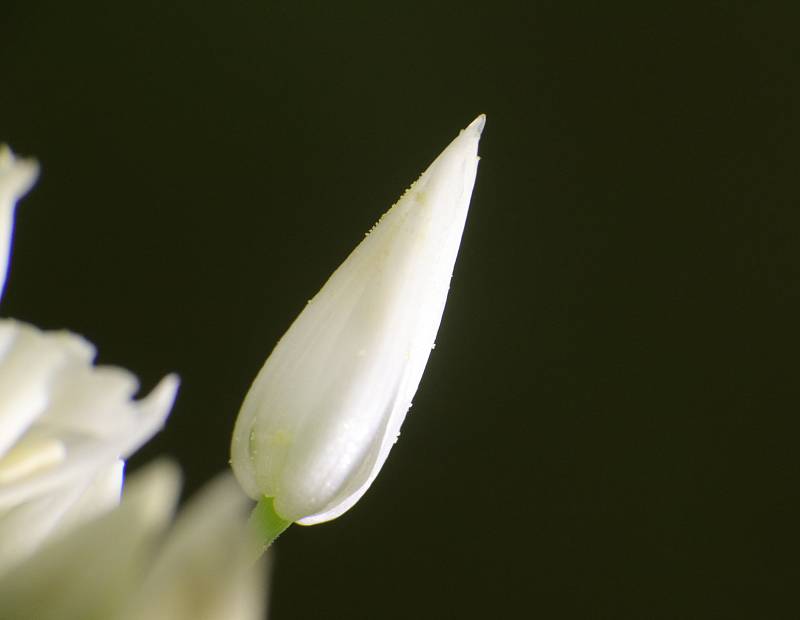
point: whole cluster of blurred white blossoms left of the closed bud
(68, 549)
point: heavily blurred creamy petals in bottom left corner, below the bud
(125, 565)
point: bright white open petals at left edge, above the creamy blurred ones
(65, 425)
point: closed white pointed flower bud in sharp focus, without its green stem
(326, 408)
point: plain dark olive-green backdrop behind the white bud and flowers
(608, 426)
